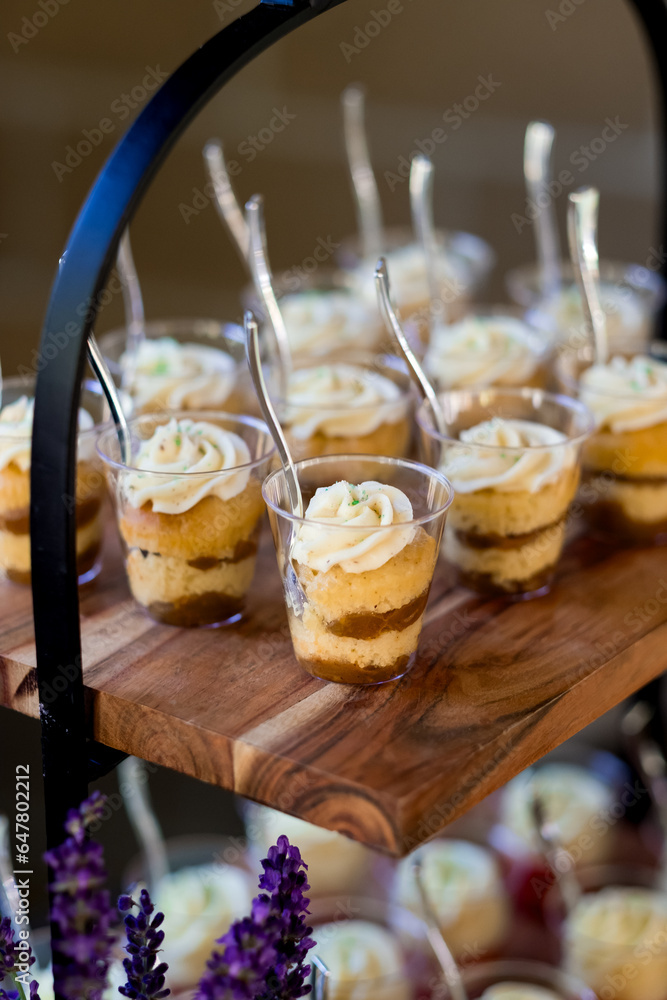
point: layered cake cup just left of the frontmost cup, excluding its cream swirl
(194, 568)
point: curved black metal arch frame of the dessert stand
(82, 274)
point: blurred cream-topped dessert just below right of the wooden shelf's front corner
(464, 886)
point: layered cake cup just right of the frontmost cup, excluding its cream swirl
(507, 542)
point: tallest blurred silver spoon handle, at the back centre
(369, 209)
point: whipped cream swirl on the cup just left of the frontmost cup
(183, 462)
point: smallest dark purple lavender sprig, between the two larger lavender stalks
(145, 979)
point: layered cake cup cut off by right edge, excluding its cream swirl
(624, 473)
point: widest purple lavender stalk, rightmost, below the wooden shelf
(263, 954)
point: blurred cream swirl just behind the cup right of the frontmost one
(494, 350)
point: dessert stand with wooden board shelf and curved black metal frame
(497, 684)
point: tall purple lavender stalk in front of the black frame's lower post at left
(81, 911)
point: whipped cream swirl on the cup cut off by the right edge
(626, 395)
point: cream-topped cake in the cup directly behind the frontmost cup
(363, 406)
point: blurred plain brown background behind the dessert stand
(575, 64)
